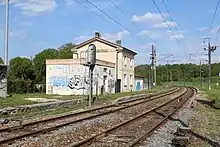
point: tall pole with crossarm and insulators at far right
(210, 50)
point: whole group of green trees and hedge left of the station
(29, 75)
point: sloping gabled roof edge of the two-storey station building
(105, 42)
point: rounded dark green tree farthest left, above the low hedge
(21, 68)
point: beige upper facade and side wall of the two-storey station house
(122, 57)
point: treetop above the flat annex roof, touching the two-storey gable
(65, 51)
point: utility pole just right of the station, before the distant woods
(153, 65)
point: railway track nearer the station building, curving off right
(14, 133)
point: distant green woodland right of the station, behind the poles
(178, 72)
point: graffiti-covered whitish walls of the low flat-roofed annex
(74, 78)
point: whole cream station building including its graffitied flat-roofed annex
(114, 70)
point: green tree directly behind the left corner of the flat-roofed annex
(40, 64)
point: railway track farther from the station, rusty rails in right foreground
(133, 131)
